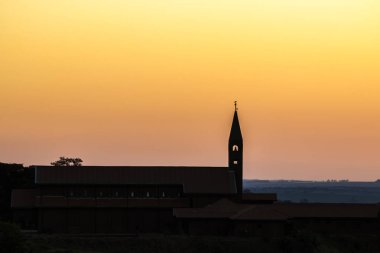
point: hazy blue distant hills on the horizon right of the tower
(331, 191)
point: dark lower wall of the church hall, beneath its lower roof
(106, 220)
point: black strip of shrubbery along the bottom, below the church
(13, 241)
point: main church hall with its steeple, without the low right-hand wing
(125, 199)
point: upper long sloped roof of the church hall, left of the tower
(210, 180)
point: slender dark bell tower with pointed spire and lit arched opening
(235, 152)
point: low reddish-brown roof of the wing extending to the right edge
(227, 209)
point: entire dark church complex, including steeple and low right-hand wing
(170, 199)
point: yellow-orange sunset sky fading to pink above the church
(153, 83)
